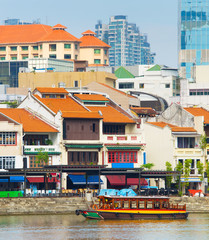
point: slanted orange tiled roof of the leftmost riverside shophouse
(30, 122)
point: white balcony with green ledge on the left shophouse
(34, 149)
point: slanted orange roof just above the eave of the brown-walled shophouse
(62, 104)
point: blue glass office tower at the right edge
(193, 36)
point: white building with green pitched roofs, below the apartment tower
(158, 80)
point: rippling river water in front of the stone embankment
(59, 227)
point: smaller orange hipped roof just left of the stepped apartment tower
(89, 40)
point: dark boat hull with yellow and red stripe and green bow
(133, 214)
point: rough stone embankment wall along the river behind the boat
(68, 205)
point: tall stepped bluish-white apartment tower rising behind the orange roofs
(128, 46)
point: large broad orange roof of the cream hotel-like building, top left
(33, 33)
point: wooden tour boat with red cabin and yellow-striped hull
(138, 207)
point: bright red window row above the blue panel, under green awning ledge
(122, 157)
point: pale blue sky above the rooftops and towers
(156, 18)
